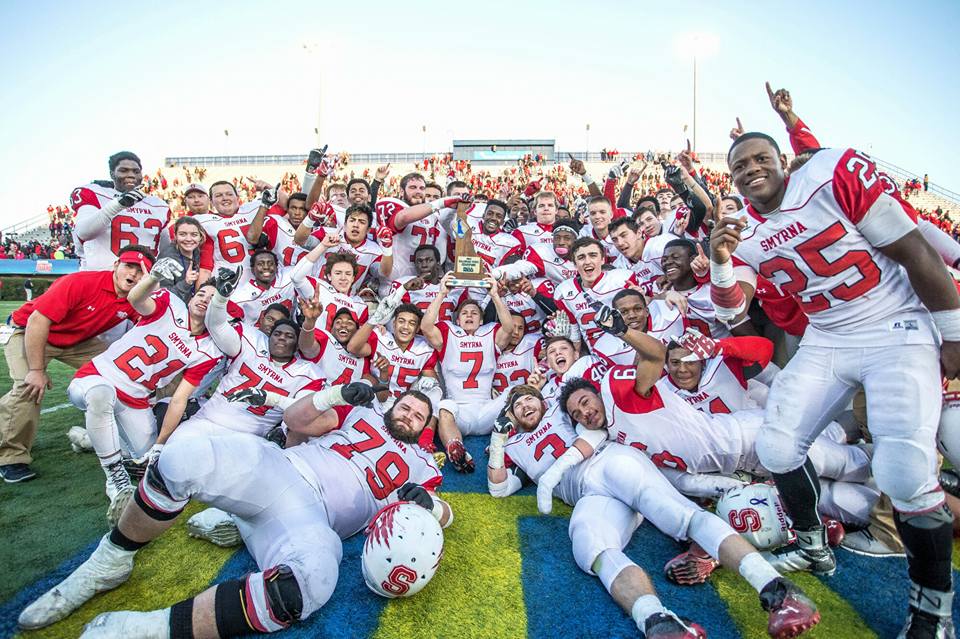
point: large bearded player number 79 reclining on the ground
(293, 507)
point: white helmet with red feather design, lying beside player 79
(403, 549)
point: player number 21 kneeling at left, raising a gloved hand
(114, 388)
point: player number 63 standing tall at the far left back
(106, 219)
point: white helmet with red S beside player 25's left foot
(756, 512)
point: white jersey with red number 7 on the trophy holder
(468, 362)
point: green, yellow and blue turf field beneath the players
(507, 571)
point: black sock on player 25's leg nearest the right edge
(928, 539)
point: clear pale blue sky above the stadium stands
(166, 78)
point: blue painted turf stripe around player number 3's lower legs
(562, 601)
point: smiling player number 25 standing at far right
(878, 299)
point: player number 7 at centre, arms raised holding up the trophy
(468, 360)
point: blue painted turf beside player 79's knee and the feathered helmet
(353, 611)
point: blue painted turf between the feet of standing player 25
(877, 588)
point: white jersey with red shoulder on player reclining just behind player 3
(665, 427)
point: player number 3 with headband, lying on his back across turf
(611, 494)
